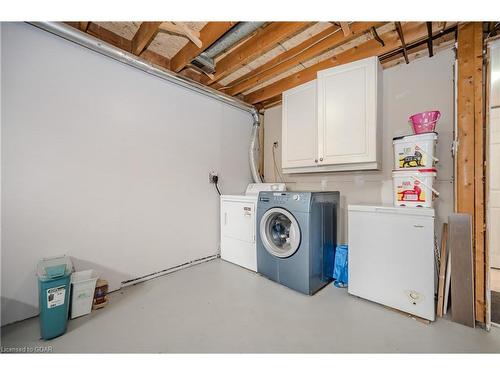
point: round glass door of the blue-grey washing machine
(280, 232)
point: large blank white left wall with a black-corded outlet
(107, 164)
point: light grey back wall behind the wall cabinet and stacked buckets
(424, 84)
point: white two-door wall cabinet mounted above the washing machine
(345, 132)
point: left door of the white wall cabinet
(299, 127)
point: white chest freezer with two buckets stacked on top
(391, 257)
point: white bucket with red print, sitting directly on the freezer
(413, 188)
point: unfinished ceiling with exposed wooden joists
(257, 66)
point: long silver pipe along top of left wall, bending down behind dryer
(85, 40)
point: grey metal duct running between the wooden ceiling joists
(205, 60)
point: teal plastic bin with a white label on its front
(54, 295)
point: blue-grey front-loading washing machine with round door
(296, 238)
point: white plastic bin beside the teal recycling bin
(82, 292)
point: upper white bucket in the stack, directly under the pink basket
(415, 151)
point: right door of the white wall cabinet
(347, 113)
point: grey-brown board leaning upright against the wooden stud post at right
(462, 273)
